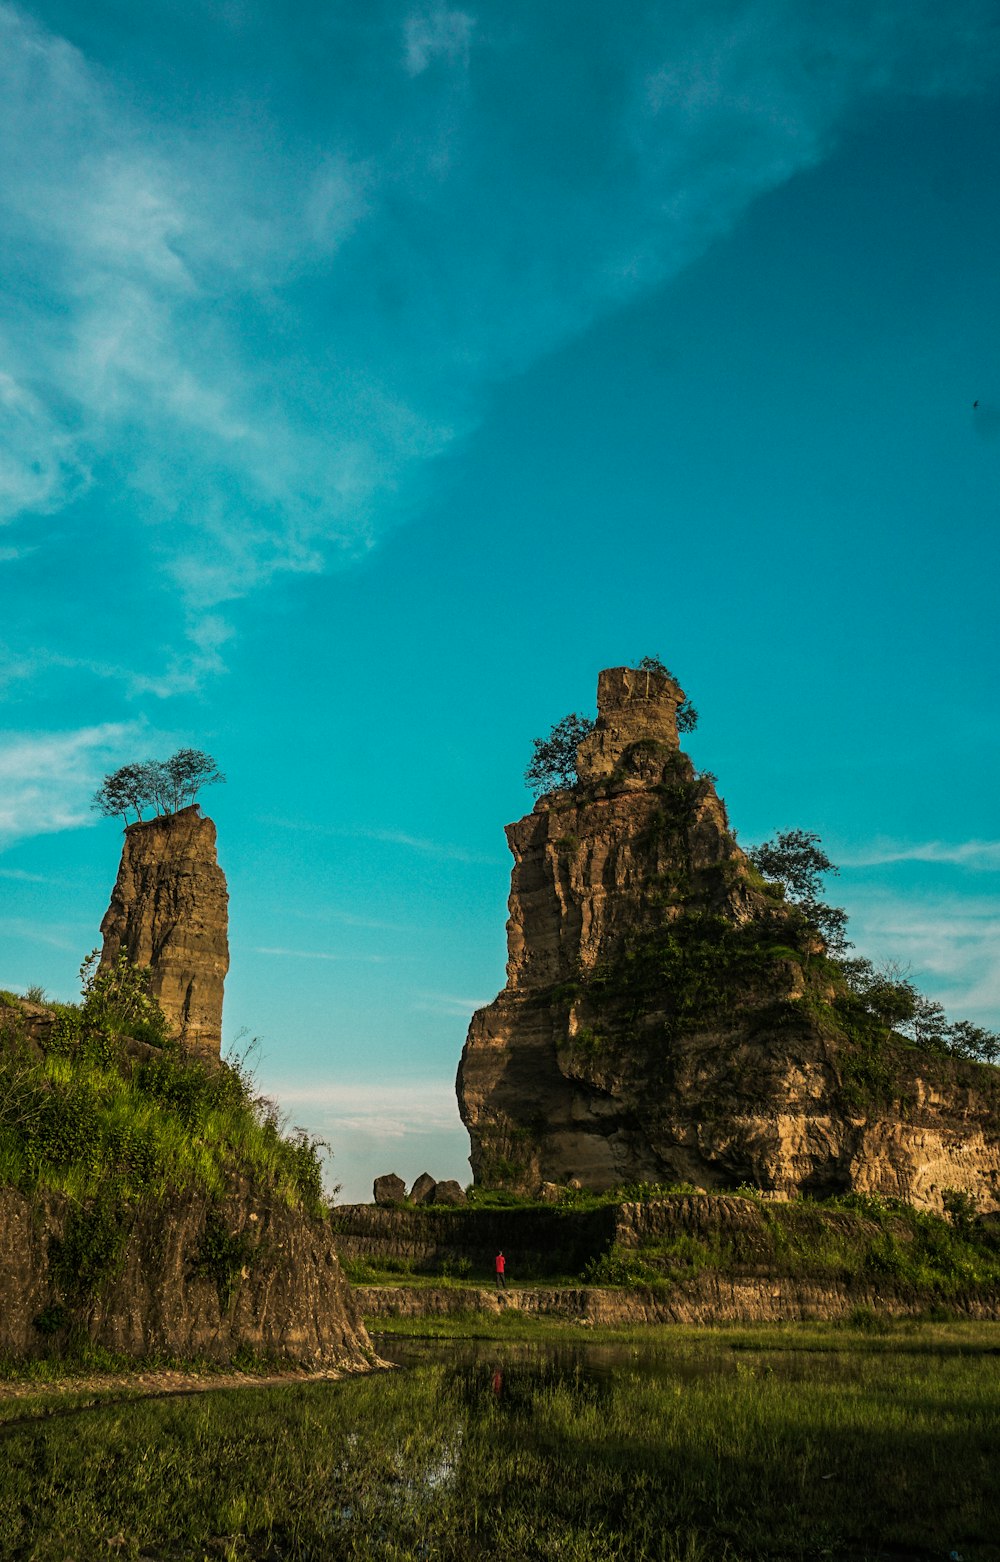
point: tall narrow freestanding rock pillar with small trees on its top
(170, 911)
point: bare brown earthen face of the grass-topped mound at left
(196, 1278)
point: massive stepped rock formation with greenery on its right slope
(670, 1019)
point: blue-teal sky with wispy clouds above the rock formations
(374, 374)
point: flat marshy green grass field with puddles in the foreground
(726, 1447)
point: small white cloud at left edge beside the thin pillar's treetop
(48, 779)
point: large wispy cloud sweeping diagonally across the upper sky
(259, 338)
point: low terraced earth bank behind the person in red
(685, 1260)
